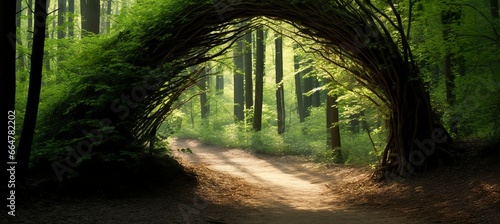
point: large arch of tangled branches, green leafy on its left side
(136, 86)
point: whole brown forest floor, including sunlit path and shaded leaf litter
(236, 186)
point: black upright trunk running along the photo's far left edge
(8, 87)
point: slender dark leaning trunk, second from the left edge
(26, 140)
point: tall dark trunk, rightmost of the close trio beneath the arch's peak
(259, 79)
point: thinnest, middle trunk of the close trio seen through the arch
(248, 71)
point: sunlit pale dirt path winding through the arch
(291, 191)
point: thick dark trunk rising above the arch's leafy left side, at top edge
(91, 11)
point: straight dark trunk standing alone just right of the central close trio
(280, 93)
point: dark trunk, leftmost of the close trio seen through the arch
(239, 98)
